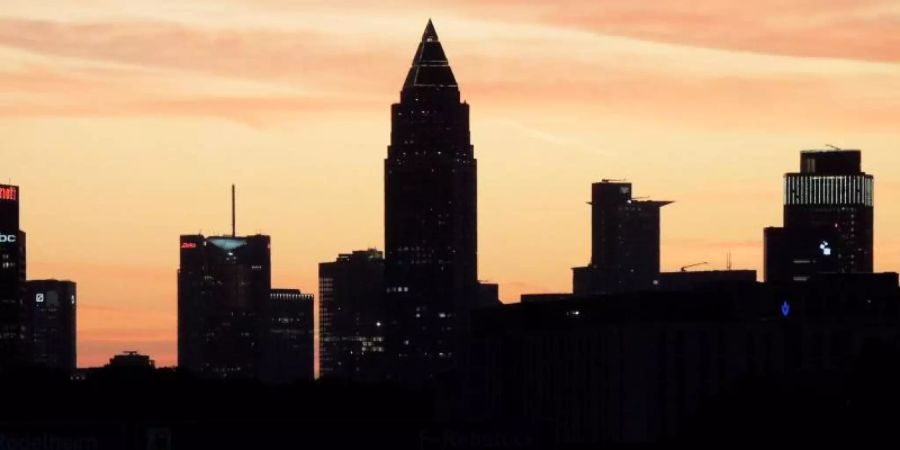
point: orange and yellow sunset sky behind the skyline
(125, 123)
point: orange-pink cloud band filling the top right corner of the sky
(851, 29)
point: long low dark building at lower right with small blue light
(638, 367)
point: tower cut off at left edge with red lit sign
(13, 314)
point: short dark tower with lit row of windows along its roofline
(288, 354)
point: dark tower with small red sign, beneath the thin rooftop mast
(224, 284)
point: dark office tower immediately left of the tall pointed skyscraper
(351, 316)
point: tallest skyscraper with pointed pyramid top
(430, 218)
